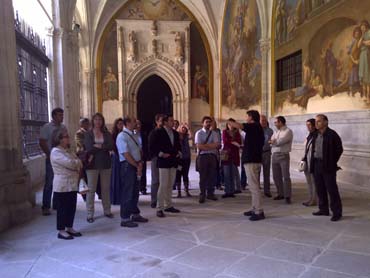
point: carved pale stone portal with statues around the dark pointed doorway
(147, 47)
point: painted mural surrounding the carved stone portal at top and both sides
(156, 10)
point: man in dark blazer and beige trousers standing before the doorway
(169, 154)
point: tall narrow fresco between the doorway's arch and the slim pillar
(241, 58)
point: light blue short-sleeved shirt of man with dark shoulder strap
(127, 143)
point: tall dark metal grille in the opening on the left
(32, 65)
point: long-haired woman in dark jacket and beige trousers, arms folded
(98, 144)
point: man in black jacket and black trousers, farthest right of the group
(327, 149)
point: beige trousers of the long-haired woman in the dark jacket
(92, 180)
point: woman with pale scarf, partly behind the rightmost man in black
(305, 165)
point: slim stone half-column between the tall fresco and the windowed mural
(265, 45)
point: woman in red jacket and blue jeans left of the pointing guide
(230, 158)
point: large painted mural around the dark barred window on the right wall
(335, 45)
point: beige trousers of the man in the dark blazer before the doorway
(166, 179)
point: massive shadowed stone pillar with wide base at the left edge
(15, 187)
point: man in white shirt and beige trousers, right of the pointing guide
(281, 145)
